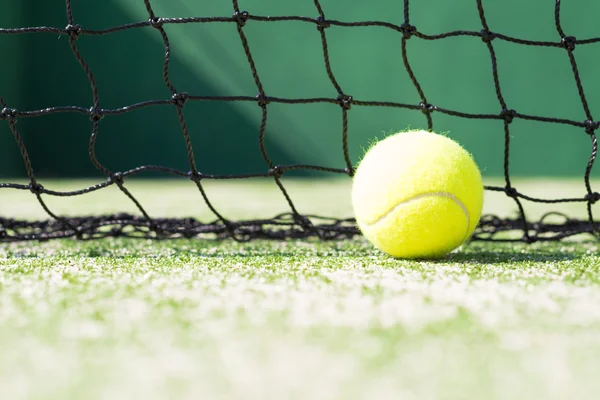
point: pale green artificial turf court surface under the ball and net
(201, 319)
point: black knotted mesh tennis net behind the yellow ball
(292, 224)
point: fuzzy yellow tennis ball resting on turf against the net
(417, 194)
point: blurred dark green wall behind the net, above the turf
(38, 70)
